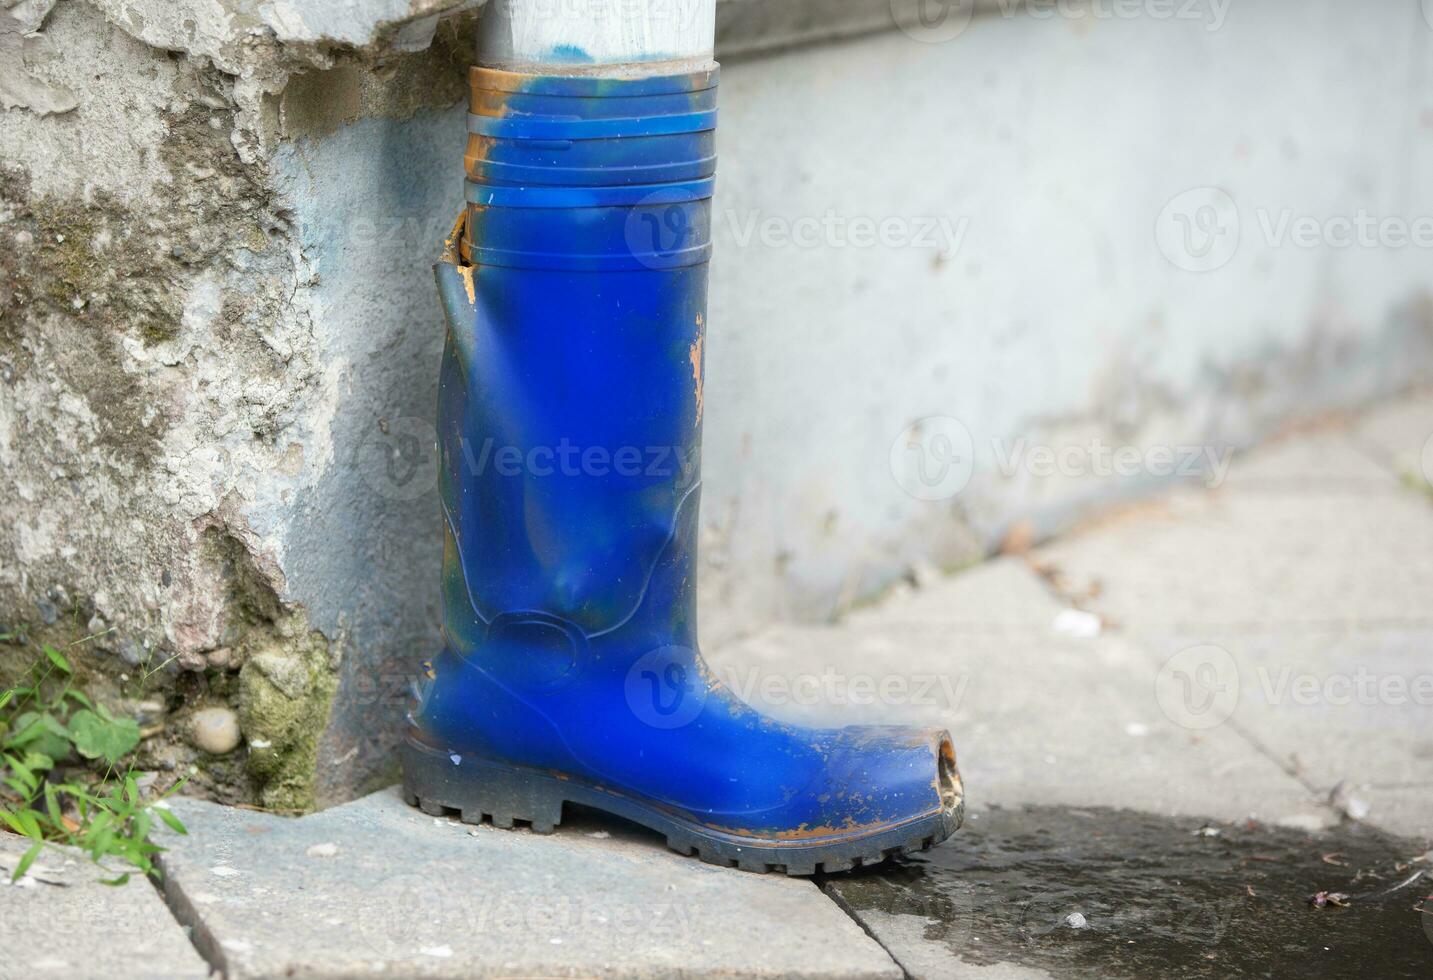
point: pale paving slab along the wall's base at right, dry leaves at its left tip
(1249, 559)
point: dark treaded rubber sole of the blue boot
(476, 789)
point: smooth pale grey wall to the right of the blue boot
(1050, 314)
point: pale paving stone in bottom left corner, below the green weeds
(61, 922)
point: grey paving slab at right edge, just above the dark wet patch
(1331, 707)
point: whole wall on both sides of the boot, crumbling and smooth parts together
(1110, 243)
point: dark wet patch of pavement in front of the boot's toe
(1108, 893)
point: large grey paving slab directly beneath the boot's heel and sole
(376, 888)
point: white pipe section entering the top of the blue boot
(577, 35)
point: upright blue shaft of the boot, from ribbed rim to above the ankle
(571, 395)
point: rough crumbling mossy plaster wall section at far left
(171, 392)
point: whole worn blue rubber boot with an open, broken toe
(571, 410)
